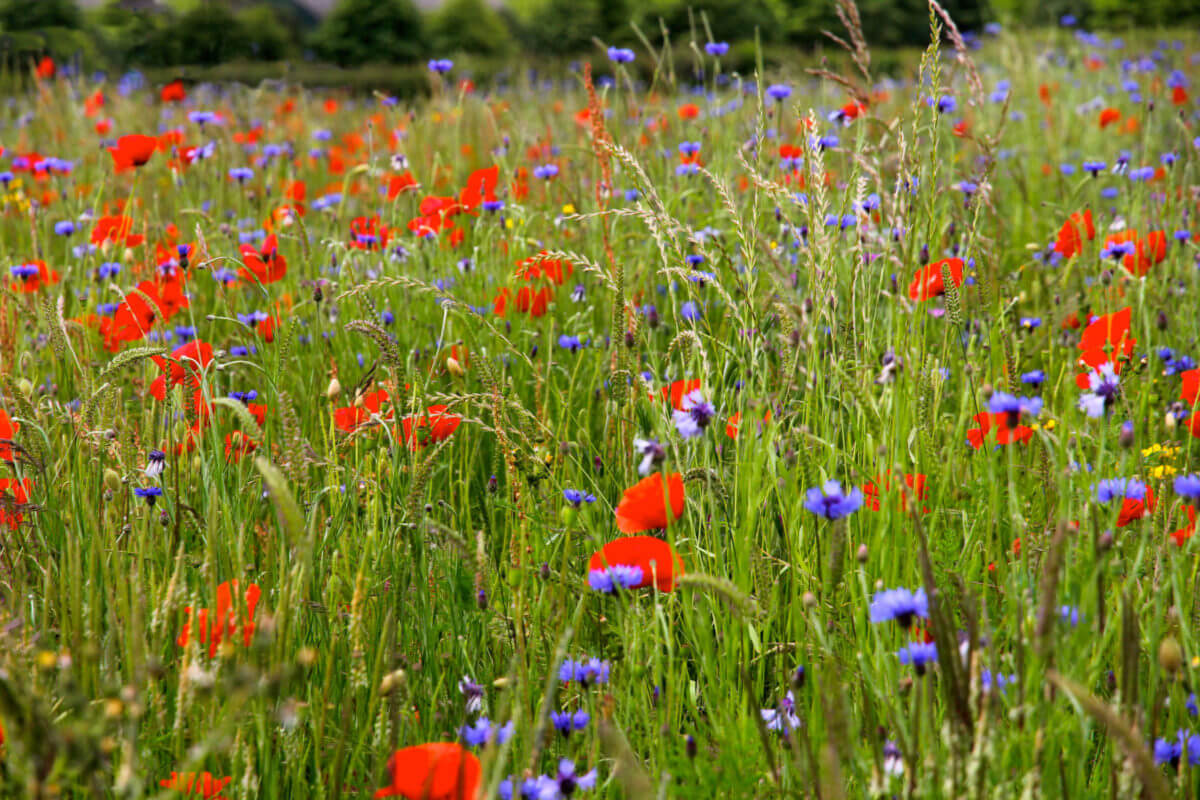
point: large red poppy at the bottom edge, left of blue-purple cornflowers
(434, 772)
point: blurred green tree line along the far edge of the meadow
(130, 34)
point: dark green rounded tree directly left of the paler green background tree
(363, 32)
